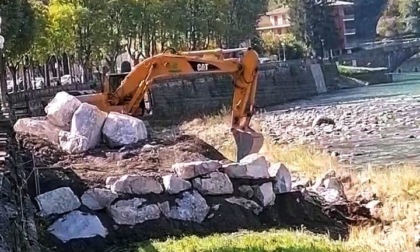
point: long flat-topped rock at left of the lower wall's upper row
(136, 184)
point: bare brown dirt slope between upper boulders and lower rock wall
(154, 158)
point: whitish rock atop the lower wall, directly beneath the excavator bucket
(253, 166)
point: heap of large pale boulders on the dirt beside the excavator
(78, 127)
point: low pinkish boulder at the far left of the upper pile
(38, 126)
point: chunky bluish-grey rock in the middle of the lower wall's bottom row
(191, 207)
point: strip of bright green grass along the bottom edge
(273, 240)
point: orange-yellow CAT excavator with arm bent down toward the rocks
(129, 96)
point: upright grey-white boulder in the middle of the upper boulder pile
(88, 121)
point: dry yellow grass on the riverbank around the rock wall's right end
(395, 187)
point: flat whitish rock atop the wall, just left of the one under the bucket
(195, 169)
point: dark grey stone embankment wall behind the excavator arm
(175, 98)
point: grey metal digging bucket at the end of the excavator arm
(247, 142)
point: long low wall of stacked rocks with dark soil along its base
(202, 195)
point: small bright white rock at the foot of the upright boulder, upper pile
(72, 144)
